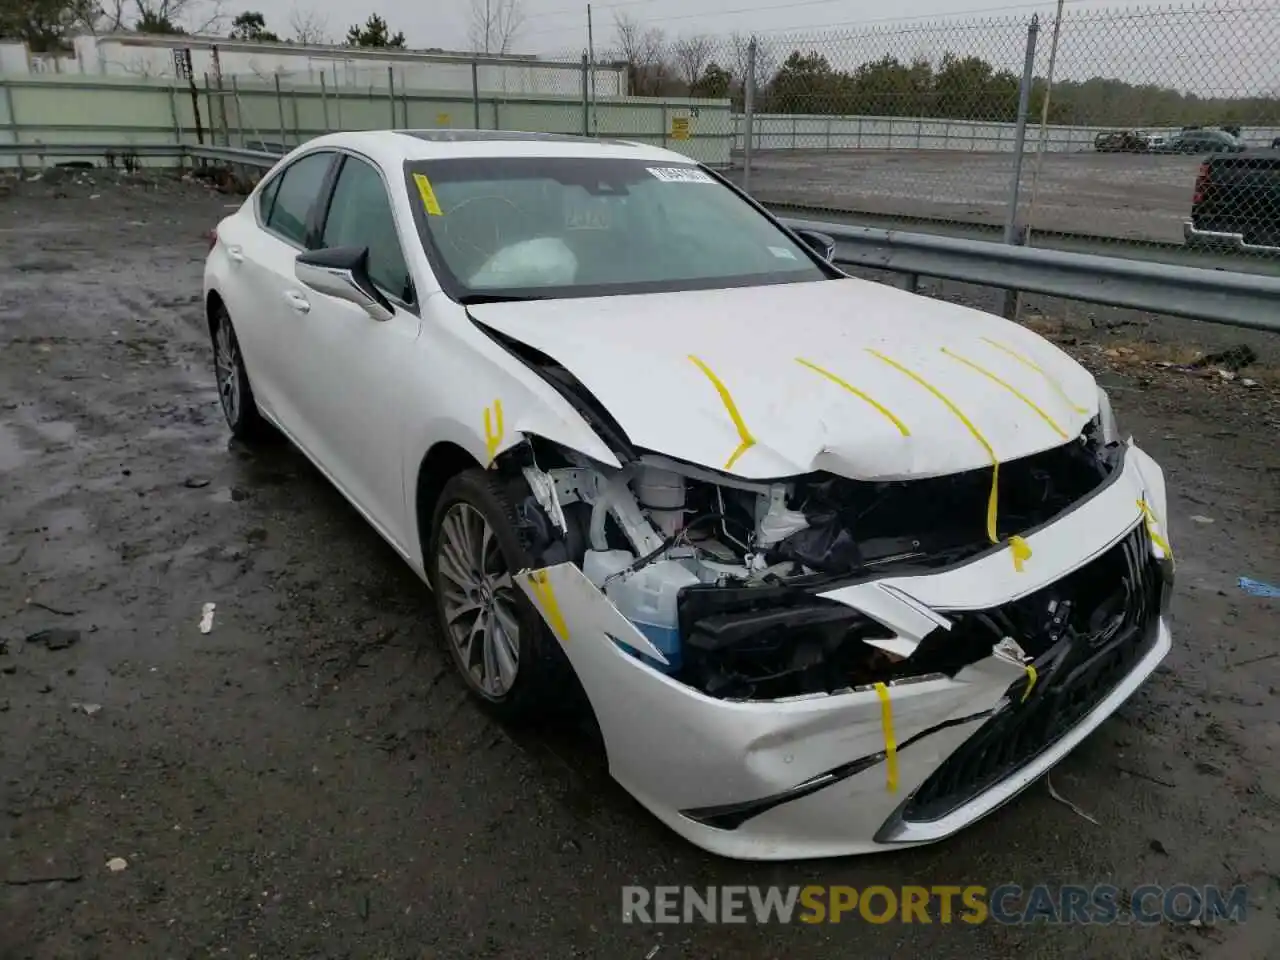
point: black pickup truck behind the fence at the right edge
(1237, 203)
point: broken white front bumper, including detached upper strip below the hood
(813, 776)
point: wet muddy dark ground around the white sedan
(309, 780)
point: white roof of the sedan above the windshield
(394, 148)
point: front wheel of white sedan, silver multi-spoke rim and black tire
(506, 655)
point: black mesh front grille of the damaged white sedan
(1075, 674)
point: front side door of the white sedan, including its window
(354, 388)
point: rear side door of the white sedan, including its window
(268, 307)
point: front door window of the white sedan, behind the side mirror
(360, 216)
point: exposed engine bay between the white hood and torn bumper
(720, 575)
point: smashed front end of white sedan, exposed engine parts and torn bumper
(772, 700)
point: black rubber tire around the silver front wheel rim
(545, 685)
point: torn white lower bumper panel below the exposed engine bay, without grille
(769, 780)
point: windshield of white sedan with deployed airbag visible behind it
(586, 227)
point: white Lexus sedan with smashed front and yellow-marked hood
(838, 568)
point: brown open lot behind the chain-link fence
(1126, 196)
